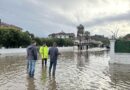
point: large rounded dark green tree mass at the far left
(12, 38)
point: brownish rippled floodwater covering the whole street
(75, 71)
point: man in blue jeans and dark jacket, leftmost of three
(32, 57)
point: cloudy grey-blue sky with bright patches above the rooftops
(43, 17)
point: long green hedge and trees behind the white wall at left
(14, 38)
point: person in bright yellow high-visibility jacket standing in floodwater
(44, 54)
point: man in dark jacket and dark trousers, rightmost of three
(53, 52)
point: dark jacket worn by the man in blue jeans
(32, 52)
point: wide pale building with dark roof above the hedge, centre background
(62, 35)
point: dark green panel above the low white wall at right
(122, 46)
